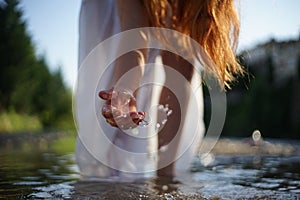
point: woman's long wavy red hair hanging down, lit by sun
(214, 24)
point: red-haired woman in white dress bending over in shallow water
(213, 24)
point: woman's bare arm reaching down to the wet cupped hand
(128, 68)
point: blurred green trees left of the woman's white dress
(27, 86)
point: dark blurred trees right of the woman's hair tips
(261, 104)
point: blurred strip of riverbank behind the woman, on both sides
(224, 146)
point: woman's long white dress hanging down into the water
(103, 151)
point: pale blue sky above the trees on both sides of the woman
(53, 25)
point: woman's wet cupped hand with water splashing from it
(119, 109)
